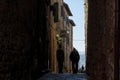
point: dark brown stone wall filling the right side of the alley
(103, 40)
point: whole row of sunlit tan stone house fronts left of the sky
(59, 26)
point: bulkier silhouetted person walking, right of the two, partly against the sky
(74, 57)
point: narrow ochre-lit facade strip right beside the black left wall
(53, 41)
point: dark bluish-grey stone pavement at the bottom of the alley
(64, 76)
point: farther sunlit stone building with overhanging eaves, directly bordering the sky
(68, 27)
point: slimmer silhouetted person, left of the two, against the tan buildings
(60, 58)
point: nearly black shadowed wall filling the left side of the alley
(20, 47)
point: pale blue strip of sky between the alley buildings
(77, 9)
